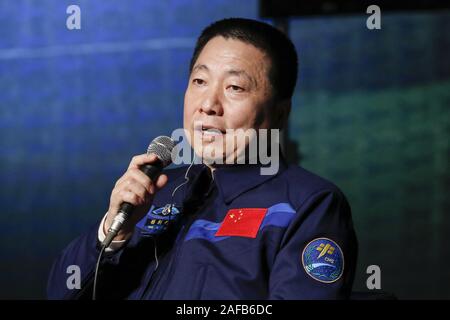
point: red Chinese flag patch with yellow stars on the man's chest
(242, 222)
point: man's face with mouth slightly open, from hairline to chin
(228, 88)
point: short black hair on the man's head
(278, 47)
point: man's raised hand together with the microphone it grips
(133, 193)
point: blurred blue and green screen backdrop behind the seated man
(371, 113)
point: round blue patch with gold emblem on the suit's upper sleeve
(323, 260)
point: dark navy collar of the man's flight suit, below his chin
(234, 180)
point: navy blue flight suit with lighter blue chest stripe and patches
(235, 235)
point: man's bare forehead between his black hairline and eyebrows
(221, 54)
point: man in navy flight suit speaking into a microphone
(227, 231)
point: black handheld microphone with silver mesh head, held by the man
(162, 147)
